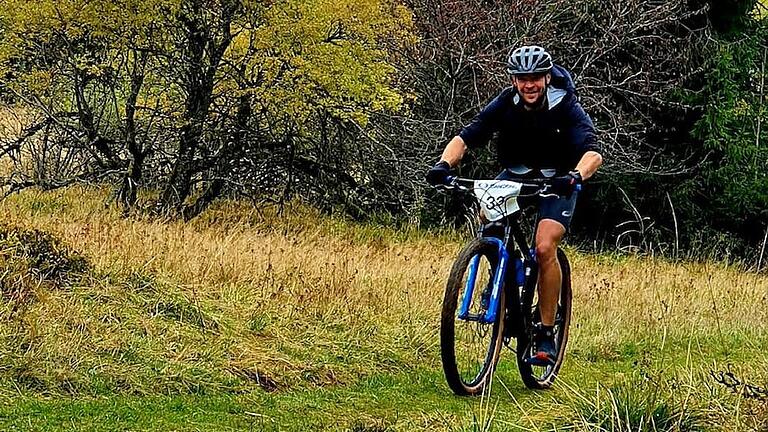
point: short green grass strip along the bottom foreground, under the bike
(416, 399)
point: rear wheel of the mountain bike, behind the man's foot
(542, 377)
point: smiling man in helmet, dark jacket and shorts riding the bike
(541, 129)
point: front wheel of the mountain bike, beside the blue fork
(469, 348)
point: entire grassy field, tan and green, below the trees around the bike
(246, 320)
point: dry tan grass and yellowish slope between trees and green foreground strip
(299, 298)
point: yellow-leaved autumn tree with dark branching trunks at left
(186, 95)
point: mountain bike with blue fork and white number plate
(491, 295)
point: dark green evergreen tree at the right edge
(733, 128)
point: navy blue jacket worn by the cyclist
(556, 136)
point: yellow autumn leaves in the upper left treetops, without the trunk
(293, 56)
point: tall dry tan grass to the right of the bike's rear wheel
(635, 295)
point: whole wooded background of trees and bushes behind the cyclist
(345, 104)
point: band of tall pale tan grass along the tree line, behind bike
(237, 246)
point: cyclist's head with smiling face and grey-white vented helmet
(530, 68)
